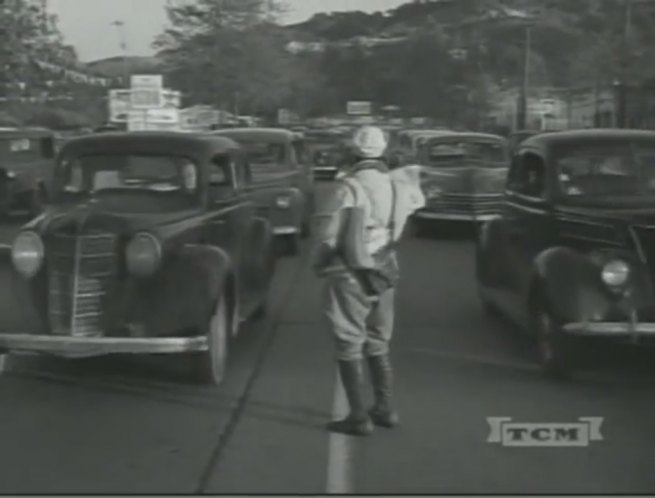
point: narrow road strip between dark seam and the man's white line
(280, 444)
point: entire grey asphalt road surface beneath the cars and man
(139, 425)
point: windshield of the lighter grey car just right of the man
(455, 152)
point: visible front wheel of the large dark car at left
(213, 362)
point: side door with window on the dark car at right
(528, 218)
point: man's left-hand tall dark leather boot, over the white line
(358, 422)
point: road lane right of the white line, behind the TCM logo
(456, 367)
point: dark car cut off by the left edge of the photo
(27, 158)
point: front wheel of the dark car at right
(553, 349)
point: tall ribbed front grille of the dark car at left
(80, 272)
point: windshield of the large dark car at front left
(128, 172)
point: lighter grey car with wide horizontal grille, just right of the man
(463, 177)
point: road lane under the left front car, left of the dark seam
(125, 424)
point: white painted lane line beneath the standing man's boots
(340, 448)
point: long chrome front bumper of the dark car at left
(99, 346)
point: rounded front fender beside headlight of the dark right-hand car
(570, 283)
